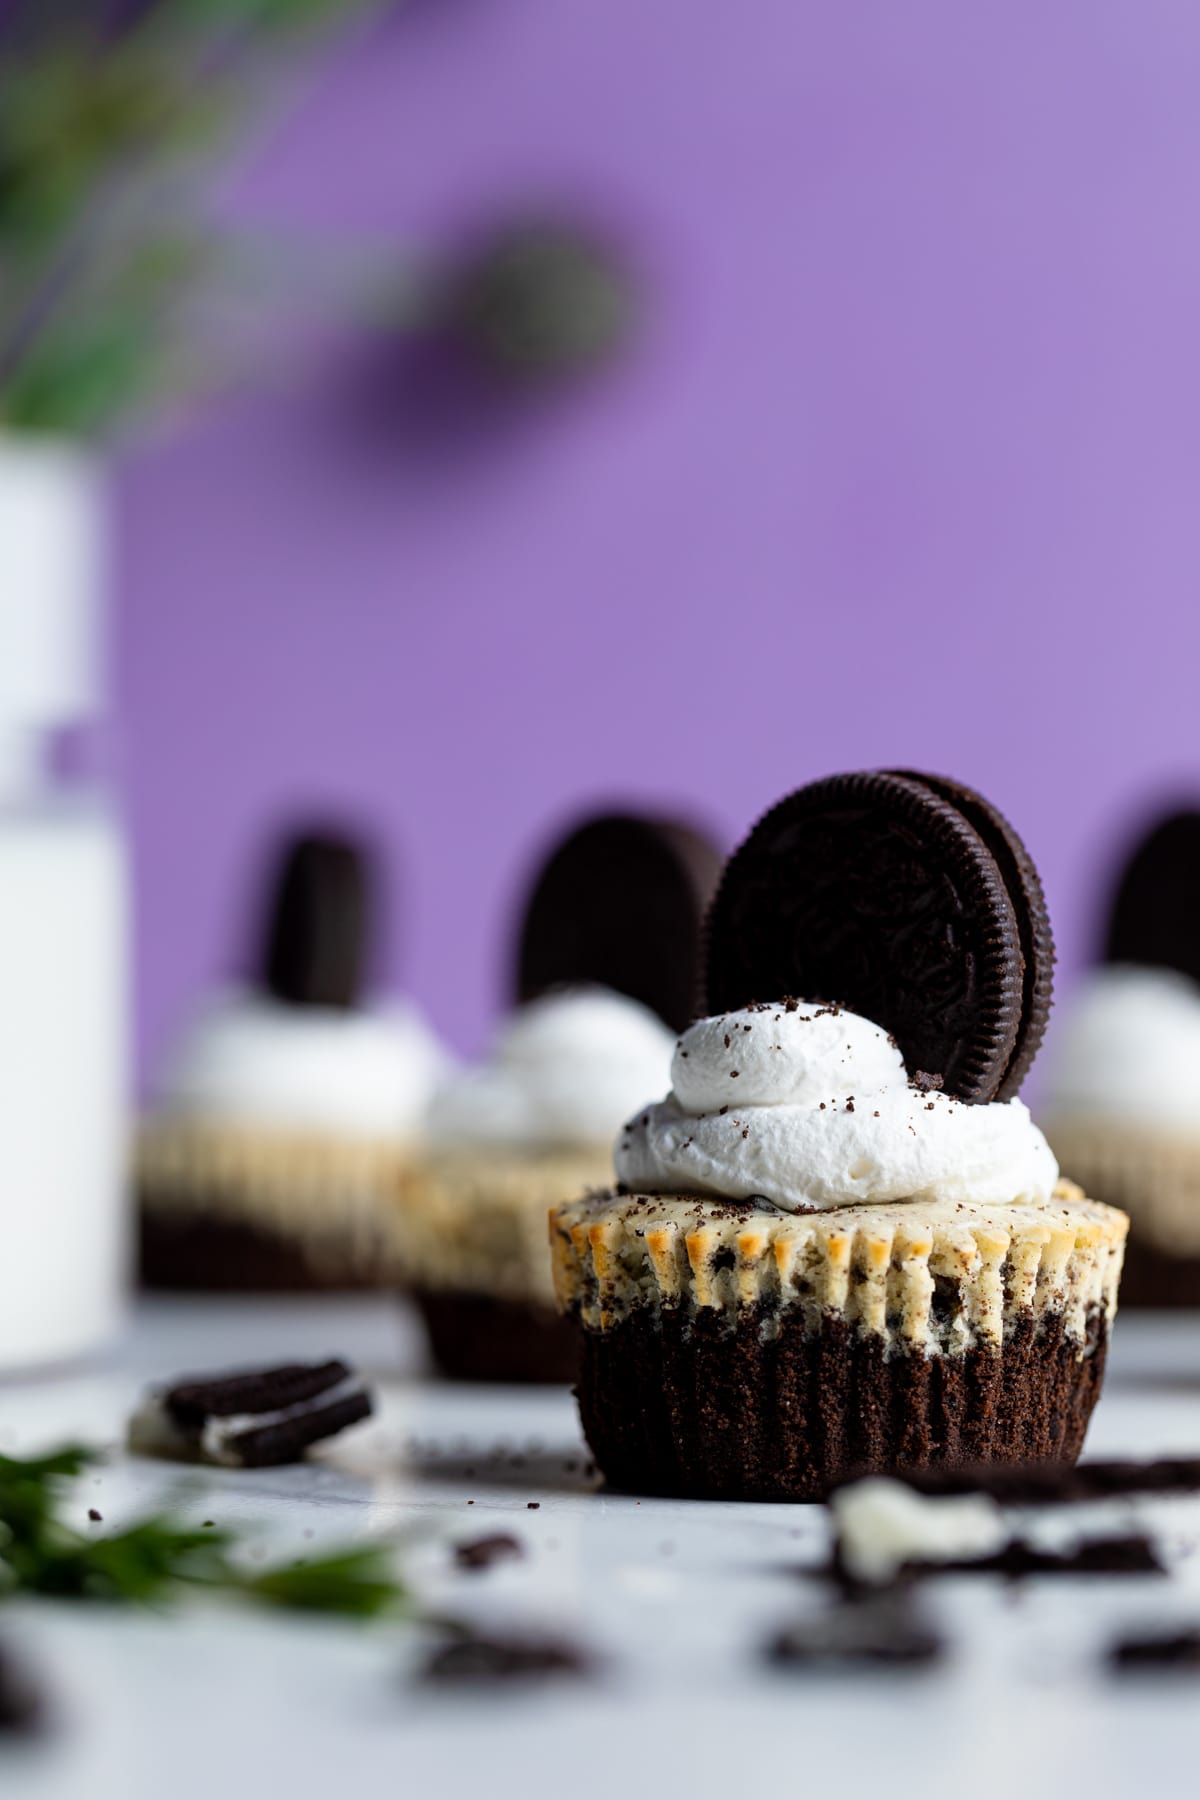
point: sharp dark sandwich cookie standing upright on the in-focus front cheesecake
(879, 892)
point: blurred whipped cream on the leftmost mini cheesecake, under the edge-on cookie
(253, 1061)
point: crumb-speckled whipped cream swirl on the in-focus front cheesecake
(812, 1108)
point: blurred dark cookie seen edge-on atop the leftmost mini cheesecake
(318, 928)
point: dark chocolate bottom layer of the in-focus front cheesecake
(686, 1405)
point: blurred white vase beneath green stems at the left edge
(64, 1007)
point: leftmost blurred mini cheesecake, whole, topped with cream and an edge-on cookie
(289, 1115)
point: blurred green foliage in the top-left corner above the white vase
(109, 118)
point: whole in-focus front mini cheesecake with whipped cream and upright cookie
(841, 1246)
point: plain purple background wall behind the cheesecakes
(904, 469)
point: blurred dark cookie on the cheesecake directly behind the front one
(620, 903)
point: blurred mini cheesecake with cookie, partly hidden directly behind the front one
(605, 973)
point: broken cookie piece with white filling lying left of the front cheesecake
(251, 1421)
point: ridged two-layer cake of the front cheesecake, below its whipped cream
(737, 1353)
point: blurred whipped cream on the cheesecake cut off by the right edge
(1129, 1047)
